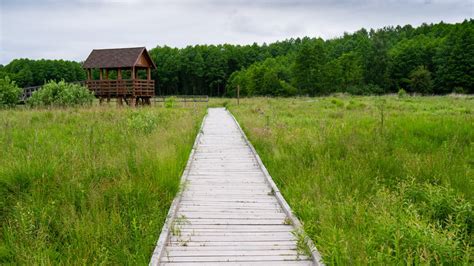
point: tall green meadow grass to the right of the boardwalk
(375, 180)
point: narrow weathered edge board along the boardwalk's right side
(316, 256)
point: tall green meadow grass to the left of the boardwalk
(89, 186)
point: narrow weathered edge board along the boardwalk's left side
(165, 231)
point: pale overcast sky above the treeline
(55, 29)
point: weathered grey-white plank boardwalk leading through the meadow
(229, 210)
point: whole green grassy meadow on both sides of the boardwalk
(375, 180)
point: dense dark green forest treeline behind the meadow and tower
(429, 59)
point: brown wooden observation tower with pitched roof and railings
(124, 73)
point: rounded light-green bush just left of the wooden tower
(61, 94)
